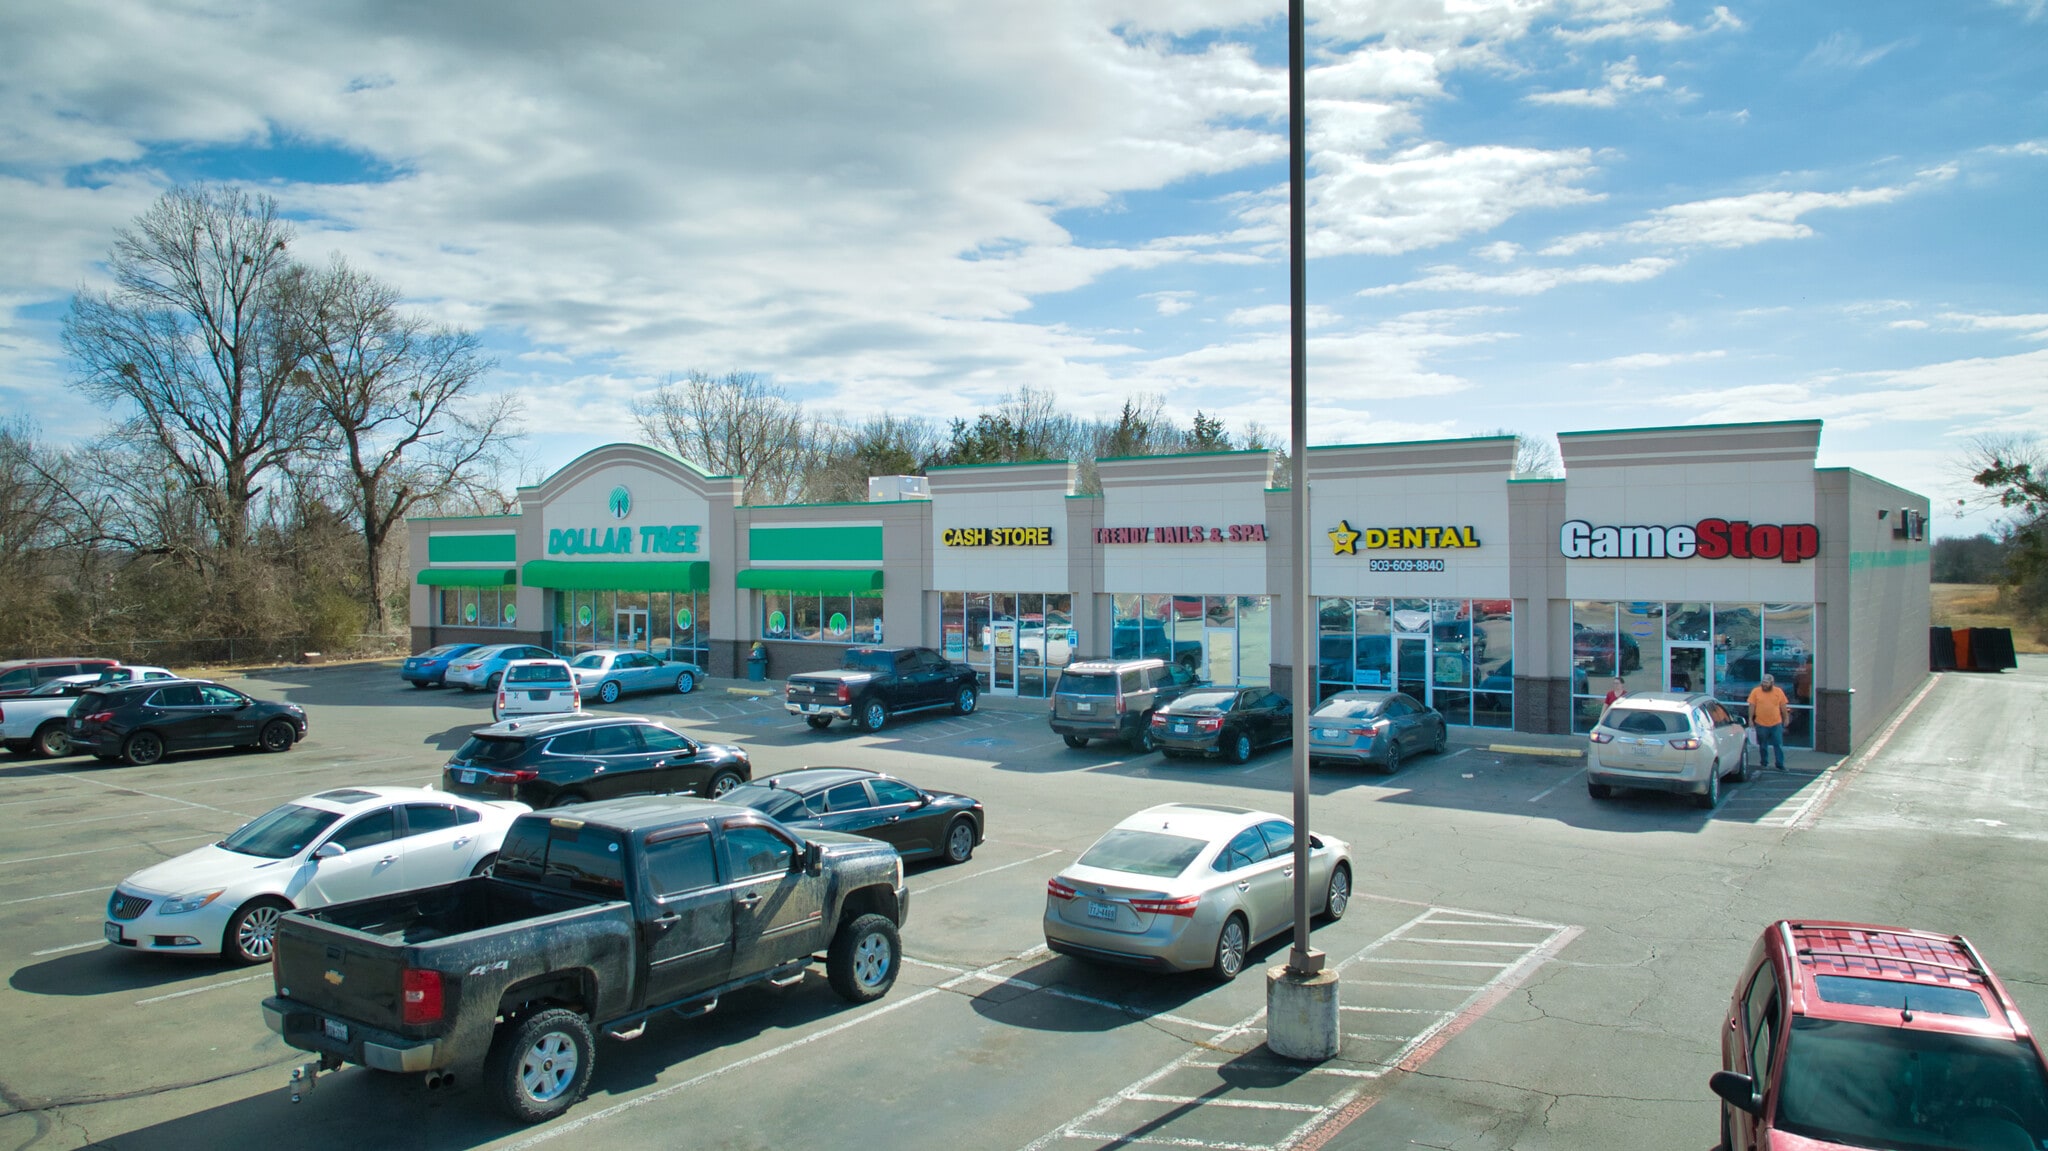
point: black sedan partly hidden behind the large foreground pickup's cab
(921, 824)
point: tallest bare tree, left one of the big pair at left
(189, 347)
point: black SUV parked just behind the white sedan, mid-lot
(577, 759)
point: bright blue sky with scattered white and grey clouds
(1533, 216)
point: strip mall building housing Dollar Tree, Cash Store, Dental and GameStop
(1672, 558)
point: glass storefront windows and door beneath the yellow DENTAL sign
(1455, 656)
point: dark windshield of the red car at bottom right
(1912, 1091)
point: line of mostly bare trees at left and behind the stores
(271, 423)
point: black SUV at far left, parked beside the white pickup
(142, 722)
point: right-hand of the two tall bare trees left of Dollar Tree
(398, 402)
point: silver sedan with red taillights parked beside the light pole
(1191, 888)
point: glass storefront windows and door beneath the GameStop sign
(1693, 648)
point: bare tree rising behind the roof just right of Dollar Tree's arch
(736, 425)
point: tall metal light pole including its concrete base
(1302, 998)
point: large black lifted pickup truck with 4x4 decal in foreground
(591, 923)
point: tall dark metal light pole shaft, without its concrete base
(1304, 960)
